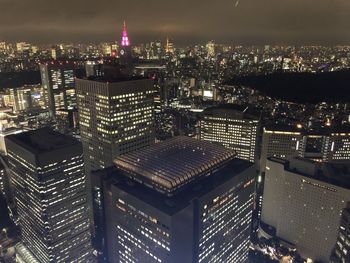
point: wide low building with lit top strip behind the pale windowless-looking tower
(327, 145)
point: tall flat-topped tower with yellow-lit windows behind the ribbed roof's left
(116, 117)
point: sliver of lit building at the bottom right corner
(340, 252)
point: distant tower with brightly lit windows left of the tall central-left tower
(59, 85)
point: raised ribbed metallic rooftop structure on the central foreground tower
(169, 165)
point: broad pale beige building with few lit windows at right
(303, 202)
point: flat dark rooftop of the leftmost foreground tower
(42, 140)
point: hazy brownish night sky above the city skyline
(185, 21)
